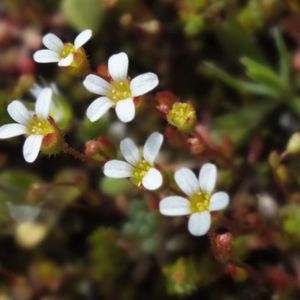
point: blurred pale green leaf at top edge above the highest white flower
(83, 14)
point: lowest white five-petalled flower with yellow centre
(200, 201)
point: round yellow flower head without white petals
(182, 116)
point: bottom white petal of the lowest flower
(199, 223)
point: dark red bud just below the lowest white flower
(222, 246)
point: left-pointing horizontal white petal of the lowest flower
(174, 206)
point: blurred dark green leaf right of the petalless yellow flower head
(239, 125)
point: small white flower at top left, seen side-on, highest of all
(59, 52)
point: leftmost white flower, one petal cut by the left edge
(34, 125)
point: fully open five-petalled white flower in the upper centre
(119, 92)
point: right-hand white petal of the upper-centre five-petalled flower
(142, 84)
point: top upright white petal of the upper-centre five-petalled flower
(118, 66)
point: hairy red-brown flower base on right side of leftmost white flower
(52, 142)
